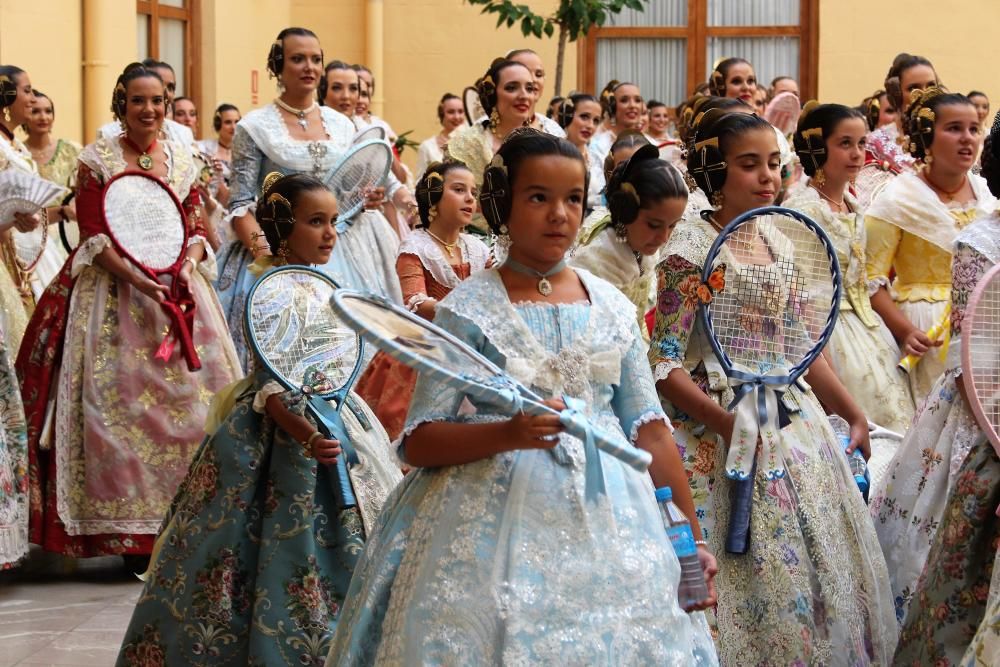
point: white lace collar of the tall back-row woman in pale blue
(270, 134)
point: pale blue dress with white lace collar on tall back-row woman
(364, 255)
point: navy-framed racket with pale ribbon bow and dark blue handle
(767, 323)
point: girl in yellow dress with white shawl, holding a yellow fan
(912, 224)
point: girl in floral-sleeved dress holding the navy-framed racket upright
(813, 586)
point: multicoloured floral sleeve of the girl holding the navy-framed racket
(676, 307)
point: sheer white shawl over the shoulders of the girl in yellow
(911, 205)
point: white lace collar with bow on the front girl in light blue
(593, 359)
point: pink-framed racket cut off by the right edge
(981, 354)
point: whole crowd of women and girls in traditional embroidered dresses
(567, 248)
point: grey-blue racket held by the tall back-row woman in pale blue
(364, 168)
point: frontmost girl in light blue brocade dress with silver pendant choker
(493, 551)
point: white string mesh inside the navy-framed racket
(779, 294)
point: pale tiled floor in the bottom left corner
(53, 614)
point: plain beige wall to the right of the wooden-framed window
(858, 40)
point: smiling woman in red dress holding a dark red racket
(106, 361)
